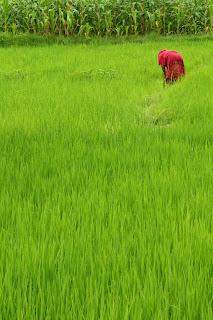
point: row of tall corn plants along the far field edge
(106, 17)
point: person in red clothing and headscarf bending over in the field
(172, 65)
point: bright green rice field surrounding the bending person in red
(106, 182)
